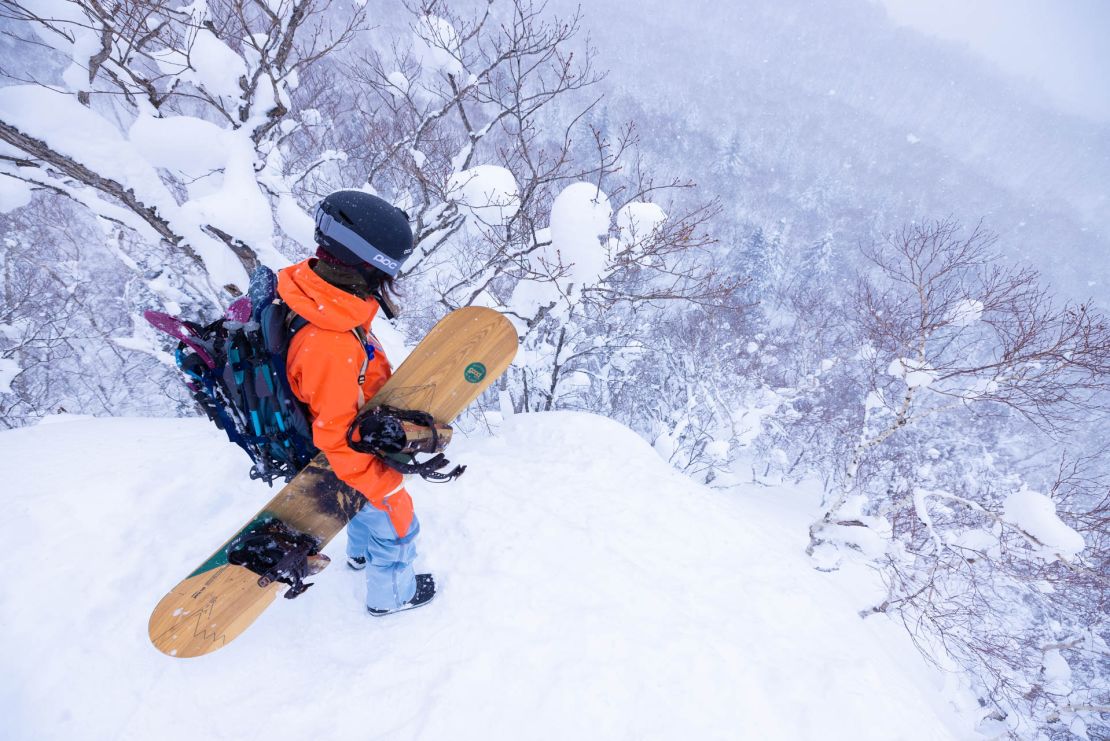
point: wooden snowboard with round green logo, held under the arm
(461, 357)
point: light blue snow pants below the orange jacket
(390, 578)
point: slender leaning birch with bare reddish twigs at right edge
(947, 330)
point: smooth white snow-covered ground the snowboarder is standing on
(588, 592)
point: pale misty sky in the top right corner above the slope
(1061, 44)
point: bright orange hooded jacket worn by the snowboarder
(324, 364)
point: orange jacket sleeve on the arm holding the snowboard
(324, 372)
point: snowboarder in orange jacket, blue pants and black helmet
(335, 364)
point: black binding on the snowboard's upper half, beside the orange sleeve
(396, 437)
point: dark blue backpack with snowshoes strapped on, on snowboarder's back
(236, 369)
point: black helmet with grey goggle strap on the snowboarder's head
(358, 228)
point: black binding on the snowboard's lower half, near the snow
(278, 553)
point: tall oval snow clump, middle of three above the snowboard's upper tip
(581, 219)
